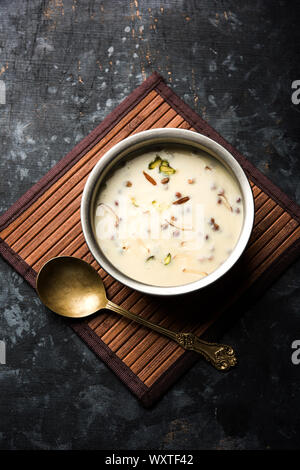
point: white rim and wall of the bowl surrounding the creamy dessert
(165, 134)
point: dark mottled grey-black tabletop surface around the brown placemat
(66, 64)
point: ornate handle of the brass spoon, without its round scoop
(221, 356)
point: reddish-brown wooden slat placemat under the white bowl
(45, 222)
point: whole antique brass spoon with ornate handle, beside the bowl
(72, 288)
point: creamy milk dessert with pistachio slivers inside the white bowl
(168, 216)
